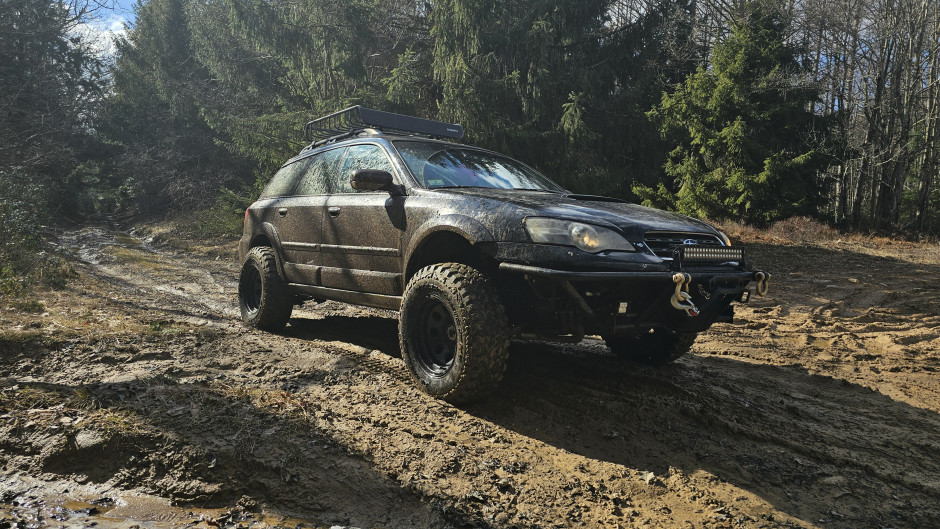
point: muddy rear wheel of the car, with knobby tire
(262, 297)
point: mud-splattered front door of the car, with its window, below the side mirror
(362, 231)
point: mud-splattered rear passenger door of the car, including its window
(300, 222)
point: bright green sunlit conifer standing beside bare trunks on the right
(746, 137)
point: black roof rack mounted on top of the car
(355, 119)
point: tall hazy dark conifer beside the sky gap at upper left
(165, 152)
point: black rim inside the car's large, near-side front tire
(435, 337)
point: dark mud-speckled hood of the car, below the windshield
(632, 219)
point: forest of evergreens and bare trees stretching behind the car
(747, 110)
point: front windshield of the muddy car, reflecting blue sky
(436, 165)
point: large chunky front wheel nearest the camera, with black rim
(453, 333)
